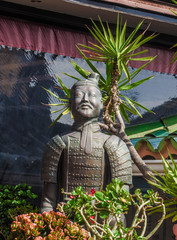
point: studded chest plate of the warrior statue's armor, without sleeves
(83, 169)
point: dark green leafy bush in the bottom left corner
(14, 200)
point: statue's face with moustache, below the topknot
(86, 102)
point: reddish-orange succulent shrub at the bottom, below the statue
(48, 226)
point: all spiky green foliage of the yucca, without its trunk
(111, 50)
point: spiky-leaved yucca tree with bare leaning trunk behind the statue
(116, 52)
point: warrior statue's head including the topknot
(86, 100)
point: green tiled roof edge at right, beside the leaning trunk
(154, 135)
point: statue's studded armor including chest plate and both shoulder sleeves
(109, 157)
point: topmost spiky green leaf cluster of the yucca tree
(117, 49)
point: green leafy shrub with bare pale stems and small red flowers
(102, 211)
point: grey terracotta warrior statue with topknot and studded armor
(85, 156)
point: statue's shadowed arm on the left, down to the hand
(49, 169)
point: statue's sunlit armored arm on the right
(119, 159)
